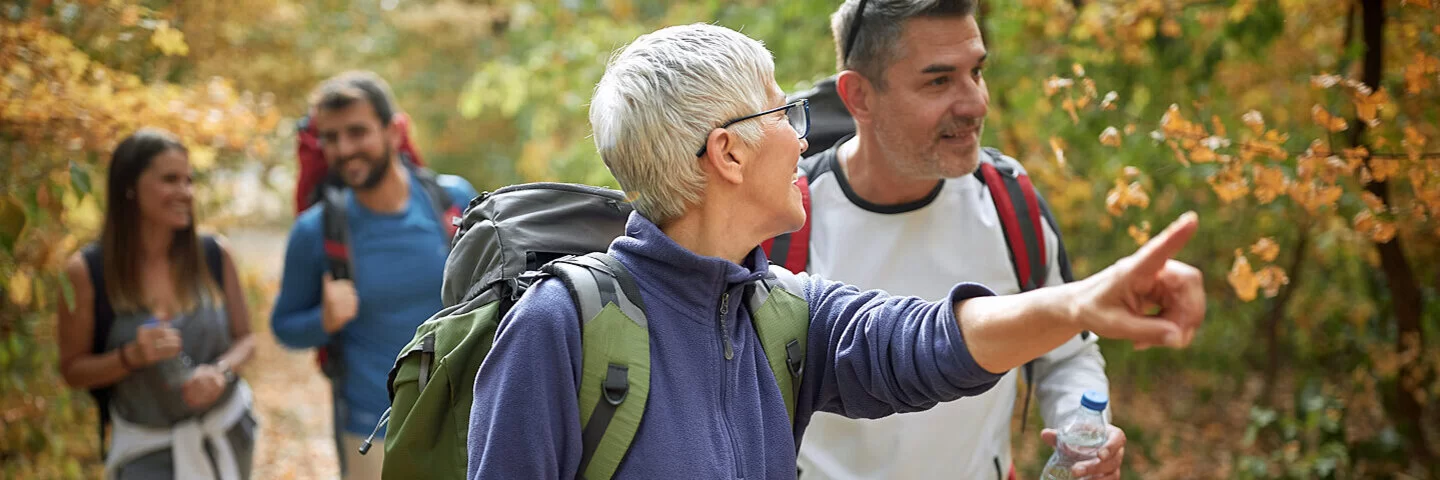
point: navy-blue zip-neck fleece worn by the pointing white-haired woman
(869, 355)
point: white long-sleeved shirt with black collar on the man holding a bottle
(924, 250)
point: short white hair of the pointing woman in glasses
(663, 96)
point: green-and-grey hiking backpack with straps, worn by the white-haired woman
(508, 241)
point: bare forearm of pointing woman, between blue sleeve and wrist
(1007, 332)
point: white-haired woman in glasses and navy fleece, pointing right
(695, 128)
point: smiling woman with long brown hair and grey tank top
(159, 326)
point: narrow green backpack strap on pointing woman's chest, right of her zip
(781, 319)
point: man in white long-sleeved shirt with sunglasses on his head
(886, 200)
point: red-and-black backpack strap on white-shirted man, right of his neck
(1019, 208)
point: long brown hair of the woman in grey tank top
(120, 239)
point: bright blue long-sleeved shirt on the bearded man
(398, 263)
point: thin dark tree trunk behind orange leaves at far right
(1400, 279)
